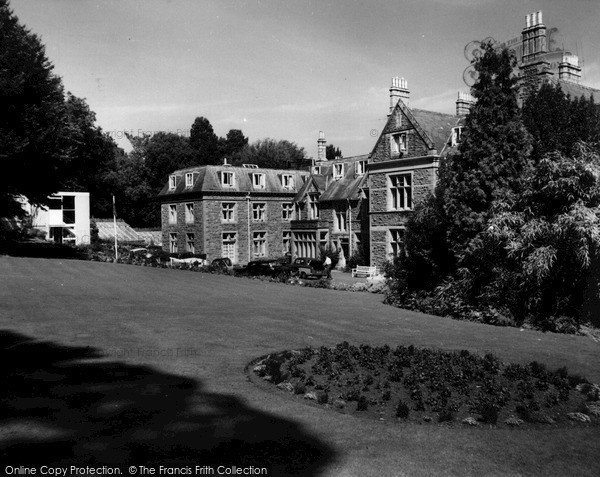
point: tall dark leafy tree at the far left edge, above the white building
(32, 132)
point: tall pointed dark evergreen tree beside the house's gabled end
(493, 153)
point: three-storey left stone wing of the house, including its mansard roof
(241, 221)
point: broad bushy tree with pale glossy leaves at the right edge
(550, 238)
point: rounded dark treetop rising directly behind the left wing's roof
(268, 152)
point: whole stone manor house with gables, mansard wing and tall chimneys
(355, 204)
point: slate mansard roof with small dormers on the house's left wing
(208, 179)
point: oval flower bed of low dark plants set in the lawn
(425, 385)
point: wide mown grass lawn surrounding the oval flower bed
(116, 364)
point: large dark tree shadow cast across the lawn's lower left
(58, 407)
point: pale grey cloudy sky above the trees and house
(281, 69)
